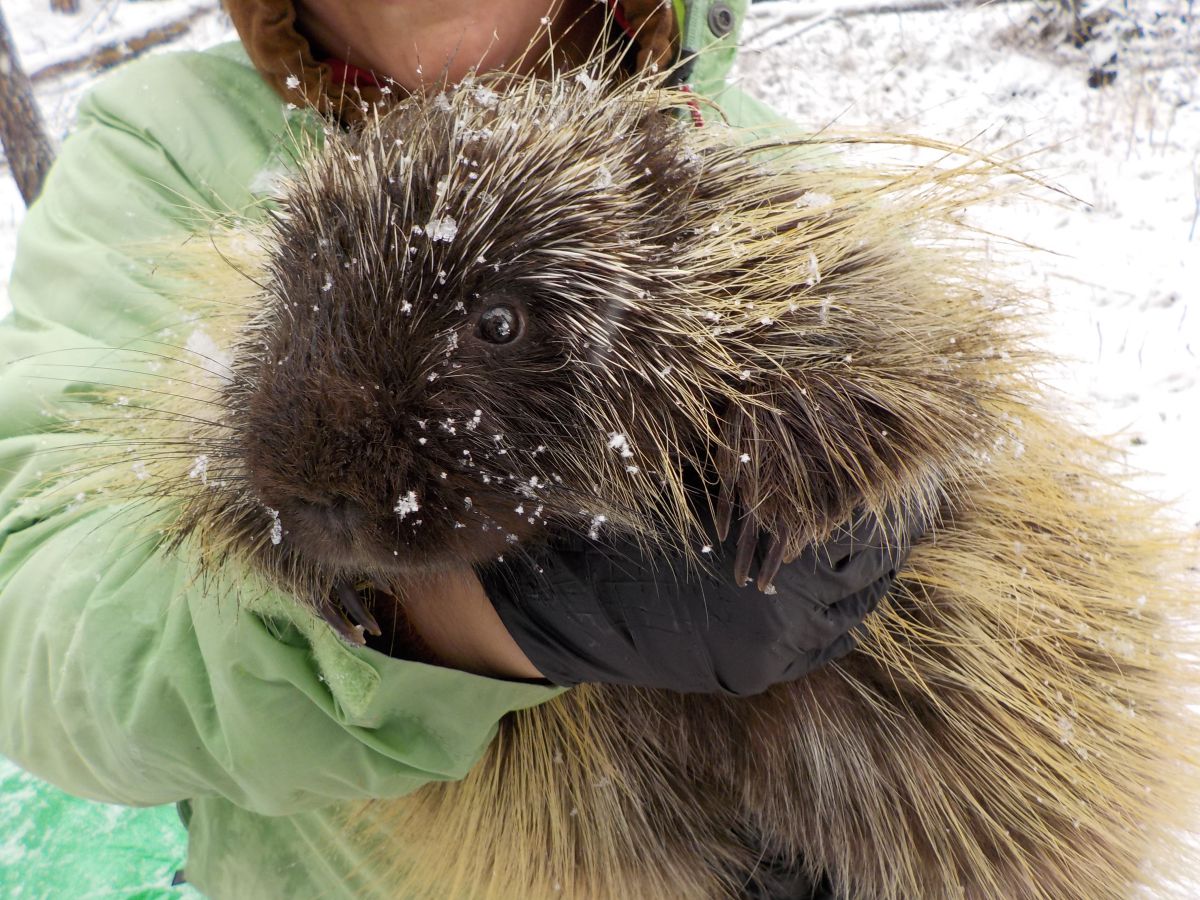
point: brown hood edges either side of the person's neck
(290, 64)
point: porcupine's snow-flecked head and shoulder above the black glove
(521, 308)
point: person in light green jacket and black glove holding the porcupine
(139, 686)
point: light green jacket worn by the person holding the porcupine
(124, 679)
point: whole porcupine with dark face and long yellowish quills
(532, 307)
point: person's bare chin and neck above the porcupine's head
(424, 44)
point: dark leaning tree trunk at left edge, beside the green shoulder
(22, 130)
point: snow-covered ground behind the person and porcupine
(1119, 267)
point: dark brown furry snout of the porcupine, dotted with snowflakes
(365, 469)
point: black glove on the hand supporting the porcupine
(602, 611)
